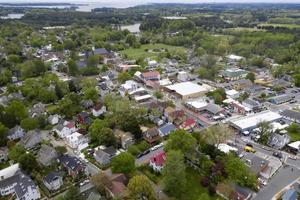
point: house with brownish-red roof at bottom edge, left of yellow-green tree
(118, 186)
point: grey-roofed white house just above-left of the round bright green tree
(104, 156)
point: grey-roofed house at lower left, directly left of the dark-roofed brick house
(47, 155)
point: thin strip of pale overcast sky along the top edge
(154, 1)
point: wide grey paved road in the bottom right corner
(283, 178)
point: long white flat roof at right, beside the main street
(252, 120)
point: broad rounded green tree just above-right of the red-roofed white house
(181, 141)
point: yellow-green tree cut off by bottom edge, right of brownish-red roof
(139, 187)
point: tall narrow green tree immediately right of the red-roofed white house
(174, 175)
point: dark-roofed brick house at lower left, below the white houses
(72, 164)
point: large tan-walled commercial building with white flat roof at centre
(186, 90)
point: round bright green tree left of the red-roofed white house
(123, 163)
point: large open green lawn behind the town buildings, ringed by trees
(149, 50)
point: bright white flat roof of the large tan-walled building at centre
(187, 88)
